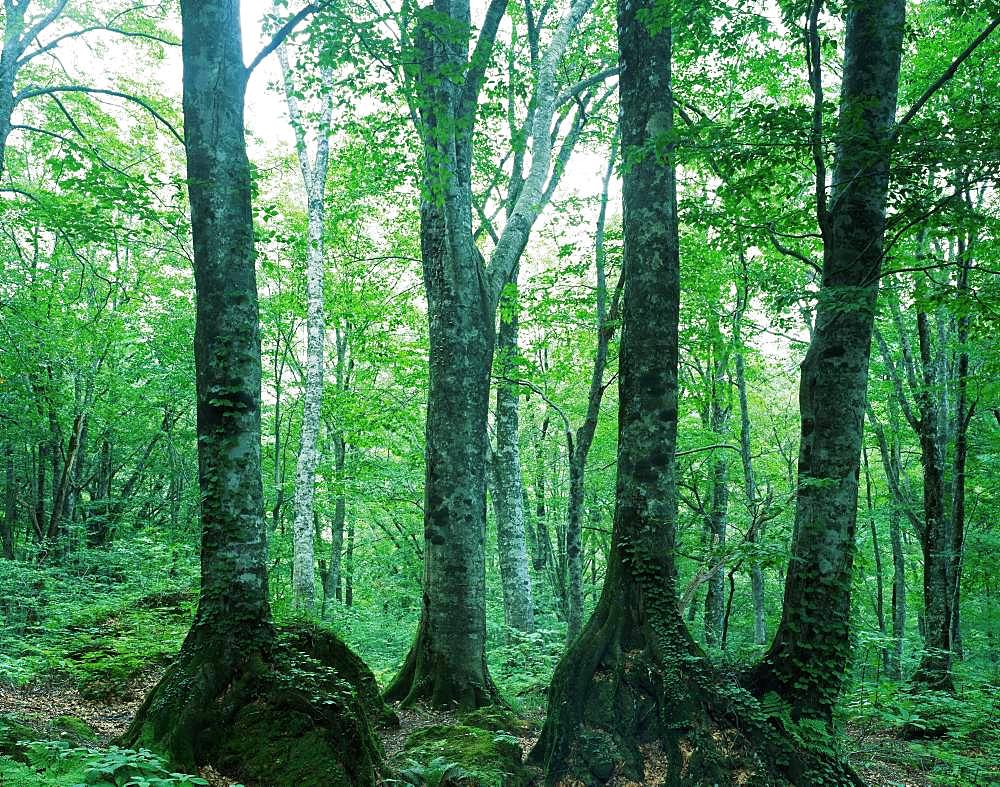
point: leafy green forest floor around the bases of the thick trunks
(76, 661)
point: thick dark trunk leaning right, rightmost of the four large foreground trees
(806, 661)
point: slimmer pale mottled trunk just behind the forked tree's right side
(508, 500)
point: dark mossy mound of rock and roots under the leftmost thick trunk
(294, 711)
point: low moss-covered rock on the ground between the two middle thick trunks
(491, 758)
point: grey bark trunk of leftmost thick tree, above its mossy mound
(234, 602)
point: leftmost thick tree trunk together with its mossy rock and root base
(224, 700)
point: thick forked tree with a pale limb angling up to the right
(447, 662)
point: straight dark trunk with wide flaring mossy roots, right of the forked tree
(633, 691)
